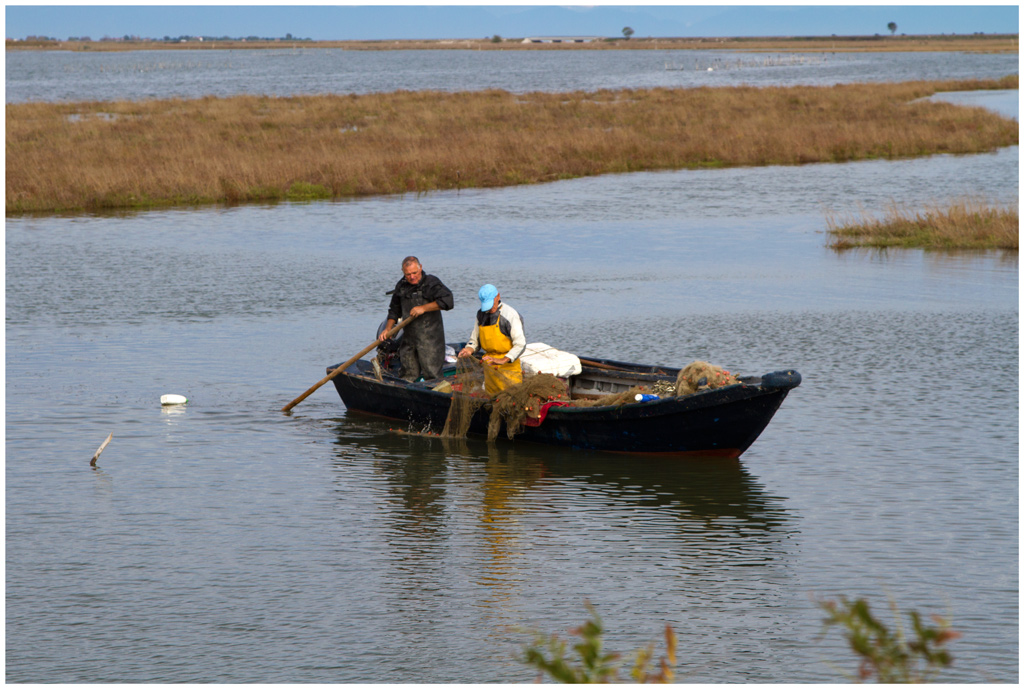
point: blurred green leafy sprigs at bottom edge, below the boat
(549, 655)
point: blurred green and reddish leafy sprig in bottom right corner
(889, 657)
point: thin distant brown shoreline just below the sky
(1003, 44)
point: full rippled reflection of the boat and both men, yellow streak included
(492, 521)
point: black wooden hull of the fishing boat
(721, 422)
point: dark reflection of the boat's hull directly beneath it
(419, 476)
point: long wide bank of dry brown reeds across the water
(95, 156)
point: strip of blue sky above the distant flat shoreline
(440, 22)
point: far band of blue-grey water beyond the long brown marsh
(160, 74)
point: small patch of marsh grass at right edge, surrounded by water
(966, 224)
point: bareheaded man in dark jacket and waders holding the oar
(422, 350)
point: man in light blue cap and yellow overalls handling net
(499, 333)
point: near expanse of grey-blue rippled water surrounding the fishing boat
(226, 542)
